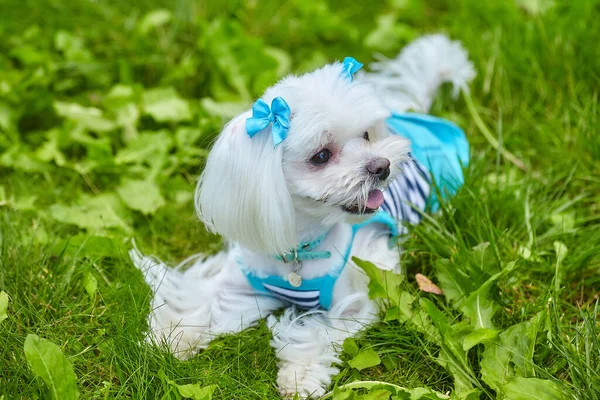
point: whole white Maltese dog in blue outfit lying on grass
(319, 171)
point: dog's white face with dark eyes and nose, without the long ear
(339, 154)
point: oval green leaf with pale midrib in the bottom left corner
(50, 364)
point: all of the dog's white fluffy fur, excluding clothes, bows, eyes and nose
(265, 200)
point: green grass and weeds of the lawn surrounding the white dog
(537, 92)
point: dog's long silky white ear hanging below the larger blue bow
(242, 193)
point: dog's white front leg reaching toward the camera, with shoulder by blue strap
(307, 345)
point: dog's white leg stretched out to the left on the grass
(191, 308)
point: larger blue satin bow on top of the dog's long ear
(263, 116)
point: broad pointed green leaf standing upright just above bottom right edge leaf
(511, 354)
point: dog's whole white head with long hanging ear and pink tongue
(336, 158)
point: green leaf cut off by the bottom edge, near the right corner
(533, 389)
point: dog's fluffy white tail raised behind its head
(411, 81)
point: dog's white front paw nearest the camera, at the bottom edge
(307, 379)
